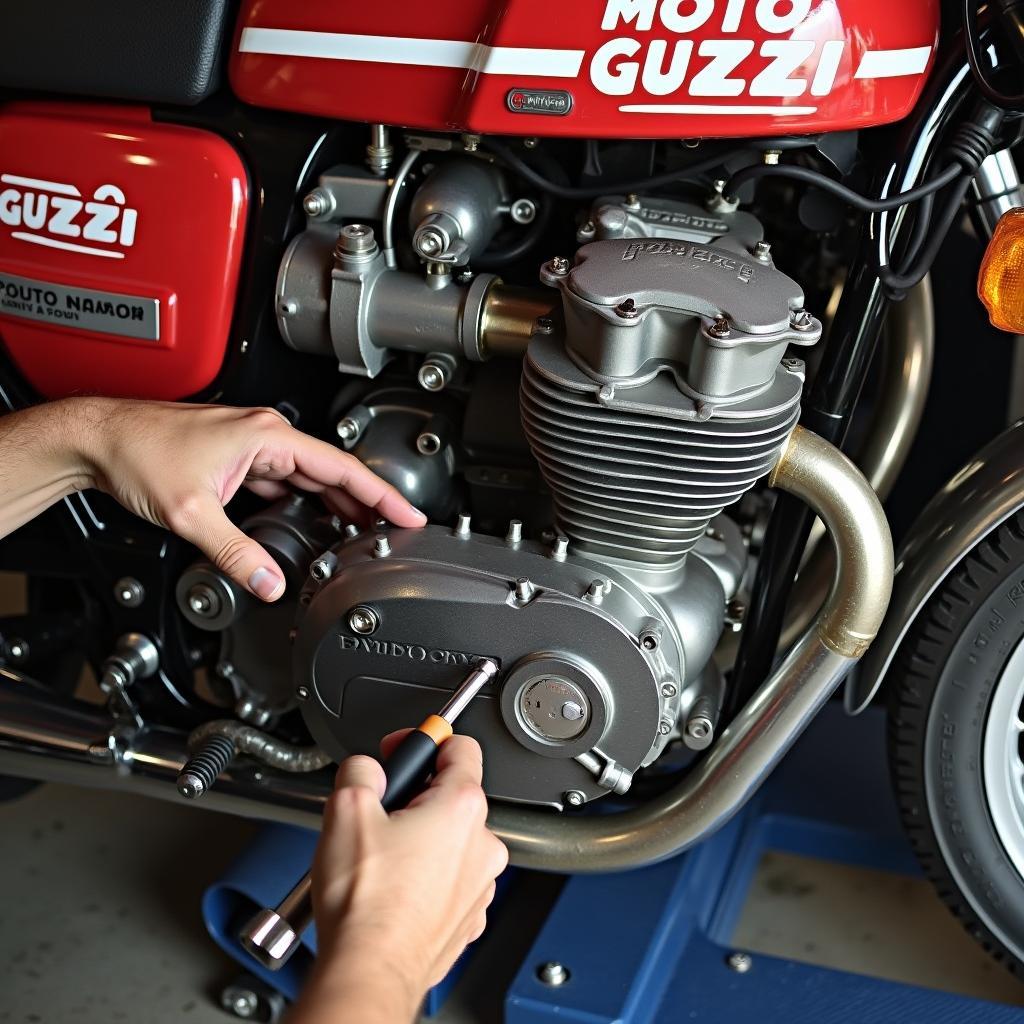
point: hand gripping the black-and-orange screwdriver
(400, 897)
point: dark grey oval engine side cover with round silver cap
(444, 599)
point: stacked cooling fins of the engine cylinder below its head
(639, 486)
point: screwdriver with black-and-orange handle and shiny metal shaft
(273, 935)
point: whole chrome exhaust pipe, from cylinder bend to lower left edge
(60, 740)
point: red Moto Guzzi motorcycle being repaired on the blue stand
(562, 275)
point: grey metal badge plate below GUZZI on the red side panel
(84, 309)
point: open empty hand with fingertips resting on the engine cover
(179, 465)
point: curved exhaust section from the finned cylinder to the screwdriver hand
(756, 741)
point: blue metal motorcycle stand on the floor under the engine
(653, 946)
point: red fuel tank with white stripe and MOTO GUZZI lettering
(624, 69)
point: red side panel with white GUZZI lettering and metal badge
(120, 243)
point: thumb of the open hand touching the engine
(206, 526)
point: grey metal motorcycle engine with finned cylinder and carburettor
(595, 563)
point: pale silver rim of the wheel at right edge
(1003, 764)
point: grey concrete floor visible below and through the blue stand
(101, 918)
